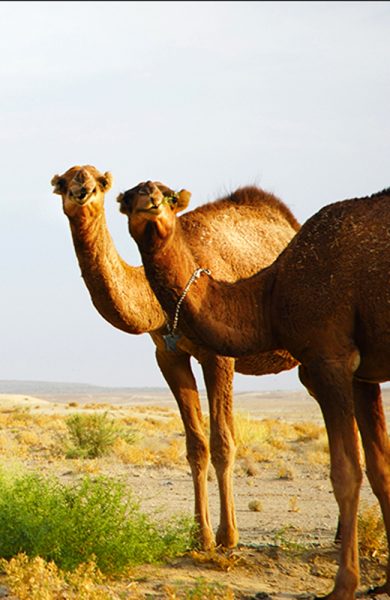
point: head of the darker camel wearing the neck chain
(151, 209)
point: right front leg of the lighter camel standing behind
(218, 374)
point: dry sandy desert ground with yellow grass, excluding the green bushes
(286, 511)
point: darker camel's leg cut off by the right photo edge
(372, 425)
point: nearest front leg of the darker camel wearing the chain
(332, 387)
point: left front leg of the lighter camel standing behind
(176, 368)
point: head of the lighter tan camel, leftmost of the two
(81, 186)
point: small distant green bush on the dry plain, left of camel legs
(93, 435)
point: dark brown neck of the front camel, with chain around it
(231, 319)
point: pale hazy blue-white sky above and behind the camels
(291, 96)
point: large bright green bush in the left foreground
(95, 519)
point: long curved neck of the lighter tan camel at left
(120, 293)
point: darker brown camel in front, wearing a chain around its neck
(325, 299)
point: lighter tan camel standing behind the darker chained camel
(122, 295)
